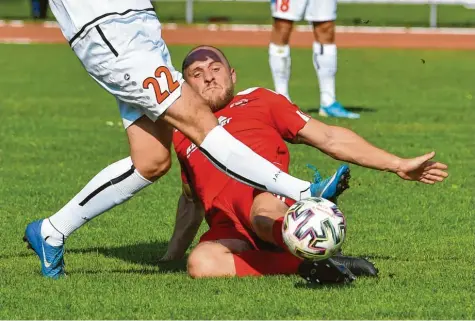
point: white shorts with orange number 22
(128, 57)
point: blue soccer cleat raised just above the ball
(331, 187)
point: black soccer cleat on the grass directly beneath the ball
(325, 271)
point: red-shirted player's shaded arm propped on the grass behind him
(189, 216)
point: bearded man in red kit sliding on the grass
(245, 224)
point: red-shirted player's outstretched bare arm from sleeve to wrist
(345, 145)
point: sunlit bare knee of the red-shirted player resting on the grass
(202, 262)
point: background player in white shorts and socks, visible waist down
(322, 15)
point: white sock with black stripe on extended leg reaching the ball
(239, 161)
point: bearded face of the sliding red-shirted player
(213, 80)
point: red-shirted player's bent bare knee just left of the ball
(265, 210)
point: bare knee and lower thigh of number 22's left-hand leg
(150, 144)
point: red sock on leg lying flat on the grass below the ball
(257, 263)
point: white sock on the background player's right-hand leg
(324, 61)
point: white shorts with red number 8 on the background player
(310, 10)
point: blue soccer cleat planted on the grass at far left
(51, 257)
